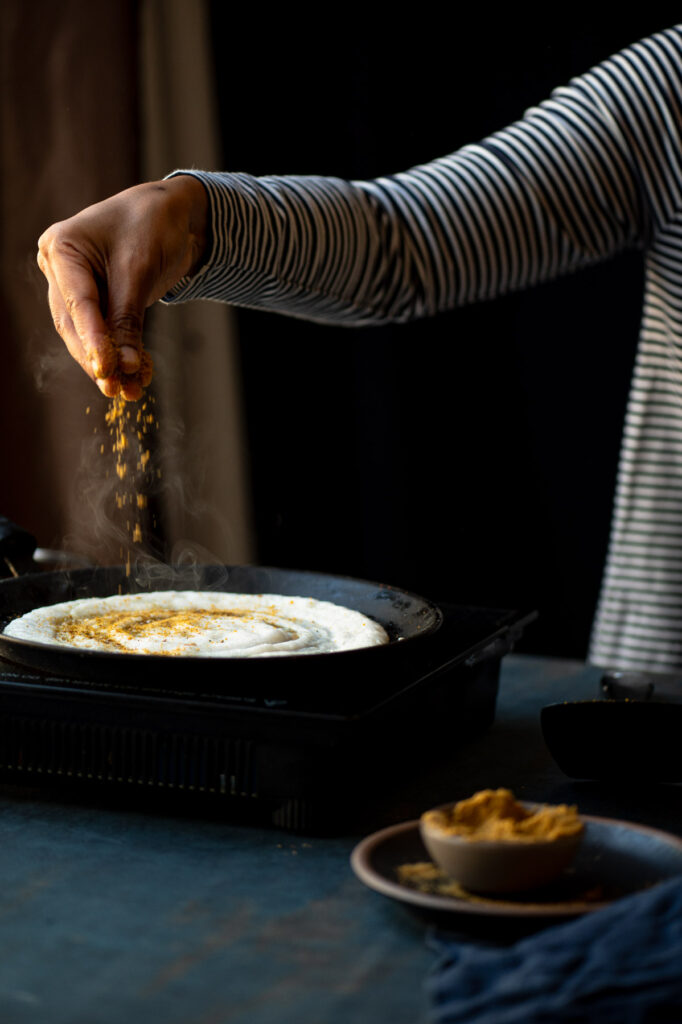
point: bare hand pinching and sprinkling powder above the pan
(107, 265)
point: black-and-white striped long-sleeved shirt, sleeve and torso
(594, 170)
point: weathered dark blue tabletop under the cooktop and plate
(110, 915)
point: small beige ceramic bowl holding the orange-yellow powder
(499, 866)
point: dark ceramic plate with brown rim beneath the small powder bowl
(616, 859)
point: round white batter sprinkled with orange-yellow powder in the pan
(194, 623)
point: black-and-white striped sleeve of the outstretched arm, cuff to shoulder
(578, 180)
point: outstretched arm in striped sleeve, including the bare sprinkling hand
(592, 172)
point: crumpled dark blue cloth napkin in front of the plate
(621, 965)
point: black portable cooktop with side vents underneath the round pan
(290, 760)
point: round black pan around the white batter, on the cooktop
(408, 619)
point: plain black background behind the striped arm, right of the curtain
(473, 457)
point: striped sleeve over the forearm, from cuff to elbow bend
(310, 247)
